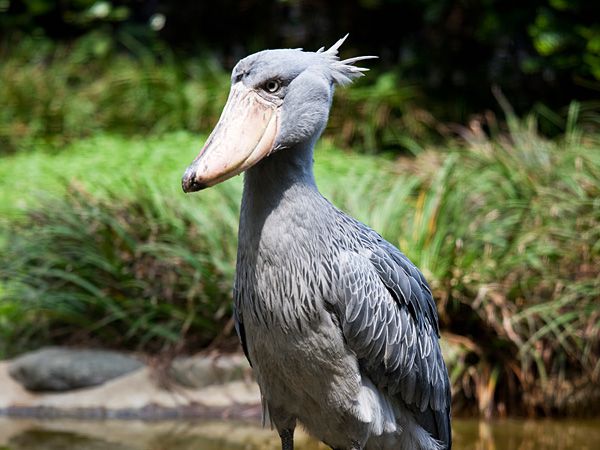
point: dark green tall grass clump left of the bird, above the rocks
(132, 268)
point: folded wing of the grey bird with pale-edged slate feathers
(388, 318)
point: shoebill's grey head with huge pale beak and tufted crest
(278, 99)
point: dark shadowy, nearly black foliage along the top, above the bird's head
(537, 51)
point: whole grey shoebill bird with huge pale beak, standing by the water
(340, 328)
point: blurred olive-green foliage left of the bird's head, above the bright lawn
(58, 93)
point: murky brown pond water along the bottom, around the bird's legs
(182, 435)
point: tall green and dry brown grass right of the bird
(508, 230)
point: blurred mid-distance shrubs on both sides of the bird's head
(60, 93)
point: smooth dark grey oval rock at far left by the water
(64, 369)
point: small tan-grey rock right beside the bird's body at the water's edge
(201, 371)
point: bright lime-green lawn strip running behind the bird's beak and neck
(115, 162)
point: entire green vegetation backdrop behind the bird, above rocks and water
(474, 147)
